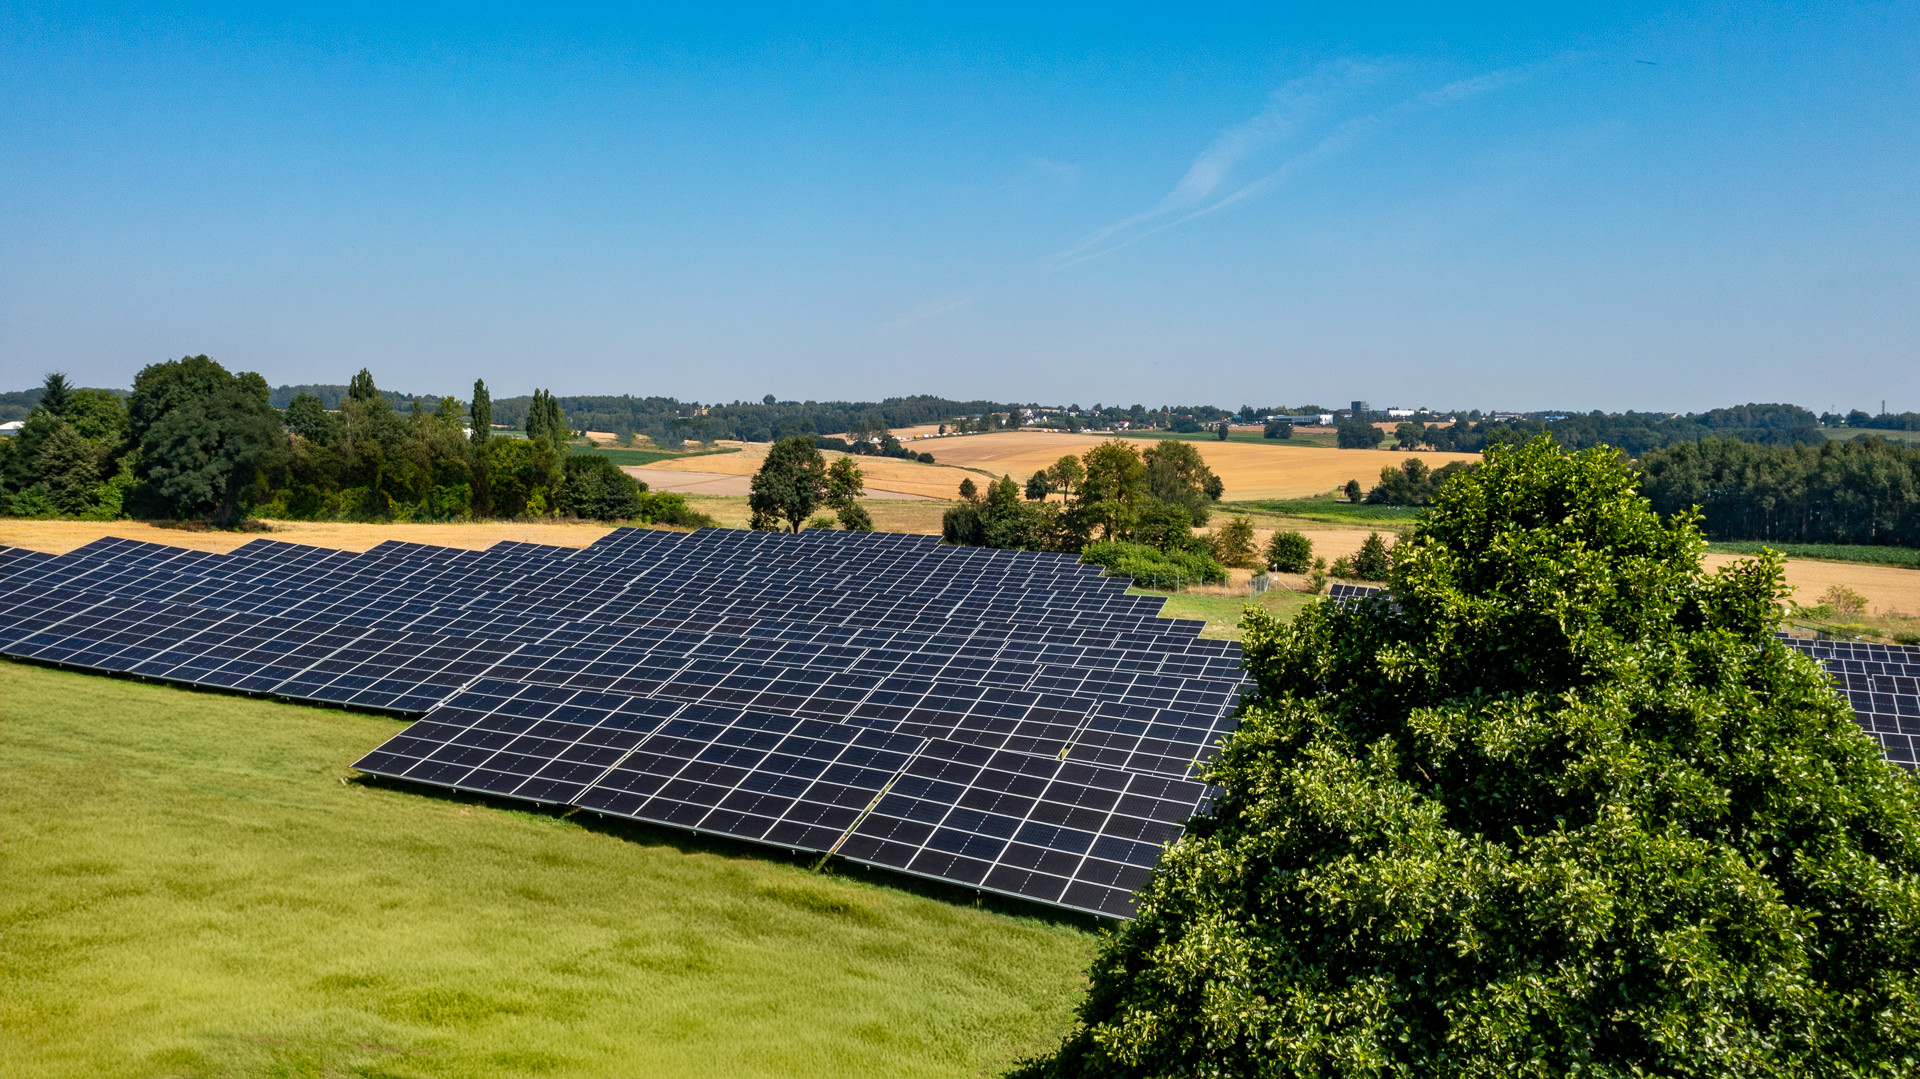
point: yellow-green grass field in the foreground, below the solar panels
(197, 886)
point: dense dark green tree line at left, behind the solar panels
(199, 443)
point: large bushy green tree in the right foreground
(1562, 807)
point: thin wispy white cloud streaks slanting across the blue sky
(1287, 118)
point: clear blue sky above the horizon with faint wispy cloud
(1618, 208)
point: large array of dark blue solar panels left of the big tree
(992, 719)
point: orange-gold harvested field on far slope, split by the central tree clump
(1251, 471)
